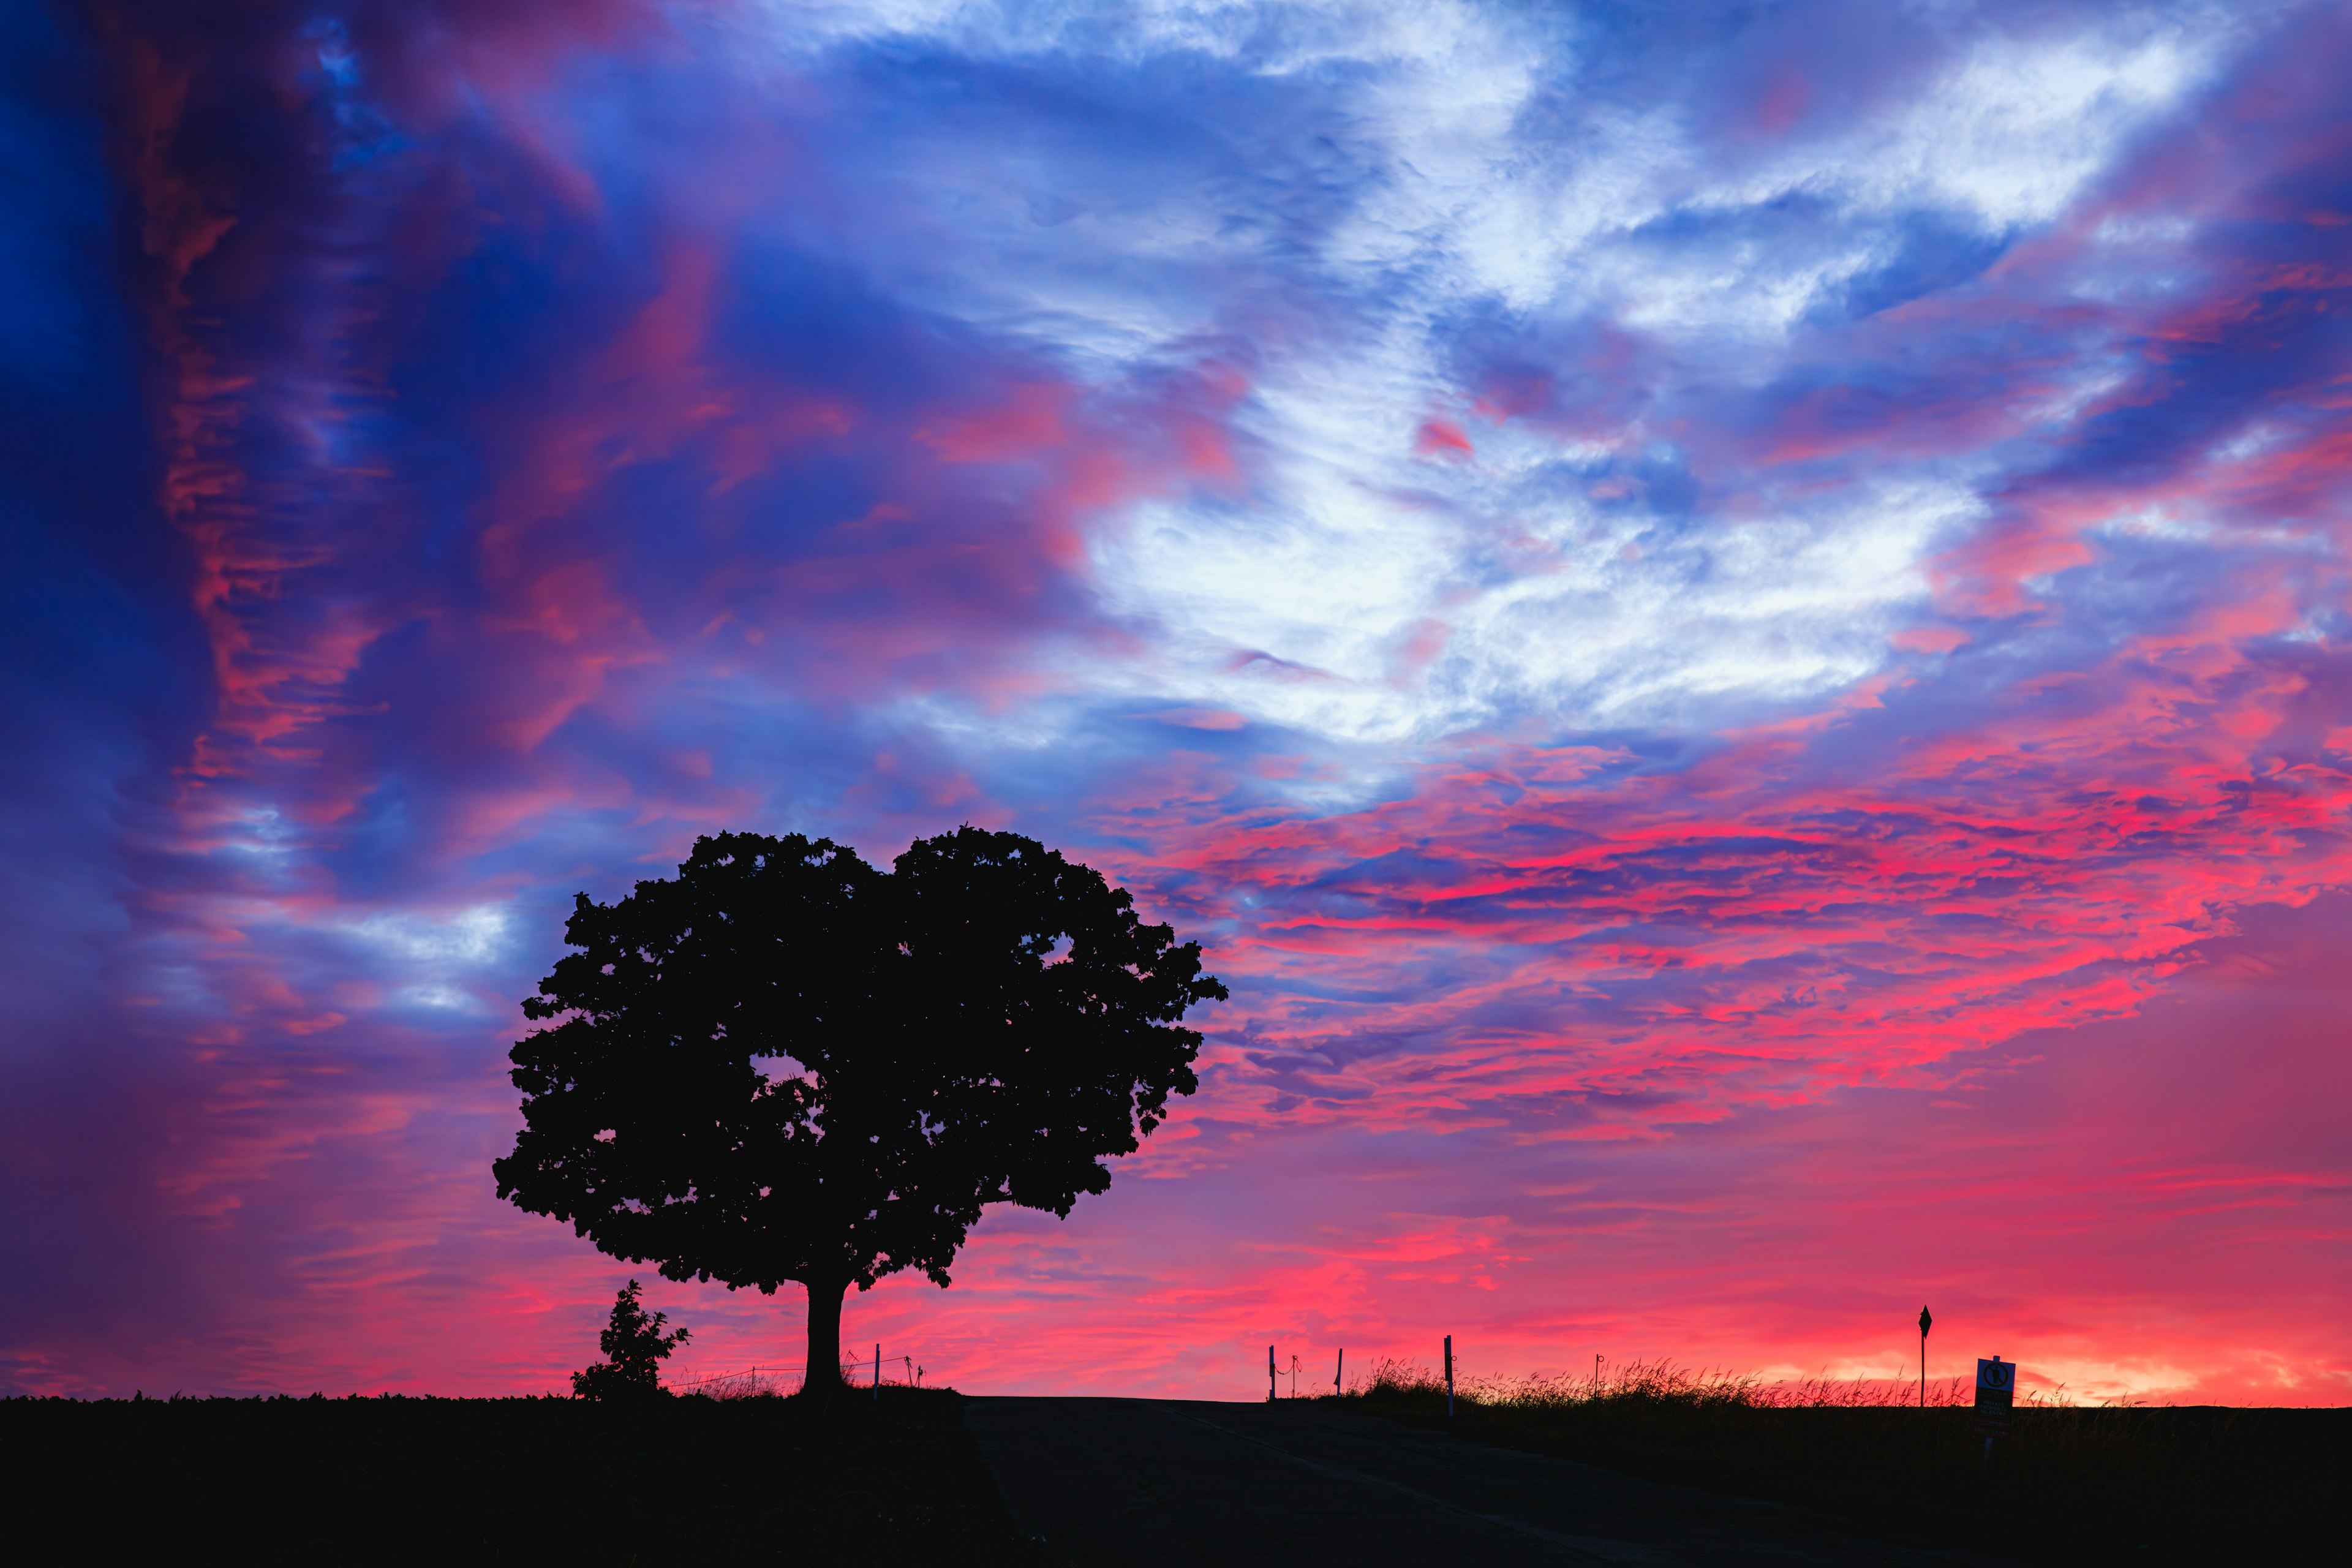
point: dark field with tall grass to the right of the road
(2069, 1485)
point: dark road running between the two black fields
(1147, 1482)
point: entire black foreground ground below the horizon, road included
(926, 1477)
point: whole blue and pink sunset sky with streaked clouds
(1730, 622)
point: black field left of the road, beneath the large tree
(509, 1480)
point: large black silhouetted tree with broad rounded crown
(787, 1066)
